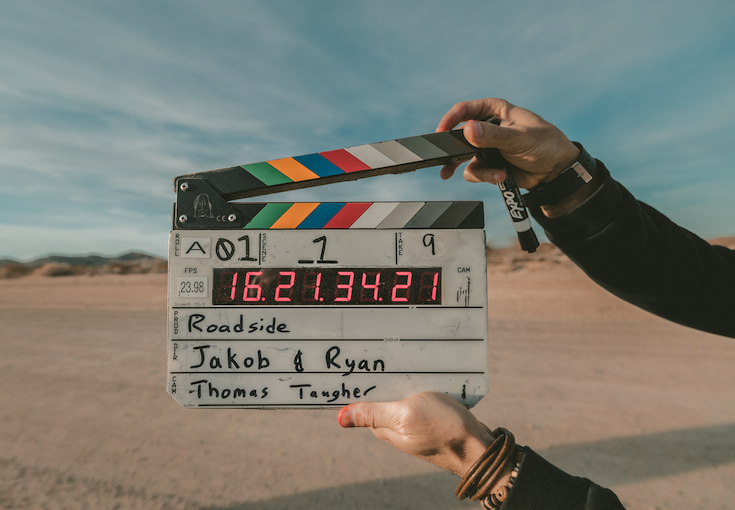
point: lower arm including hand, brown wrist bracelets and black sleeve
(438, 429)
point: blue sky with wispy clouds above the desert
(102, 104)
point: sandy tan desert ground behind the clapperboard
(596, 386)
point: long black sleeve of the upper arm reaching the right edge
(641, 256)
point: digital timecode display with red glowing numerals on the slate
(327, 286)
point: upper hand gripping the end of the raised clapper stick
(539, 149)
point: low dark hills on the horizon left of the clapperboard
(62, 265)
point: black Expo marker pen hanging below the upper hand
(511, 195)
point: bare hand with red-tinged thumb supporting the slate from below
(430, 426)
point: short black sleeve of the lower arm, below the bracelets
(542, 486)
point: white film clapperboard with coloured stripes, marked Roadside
(318, 305)
